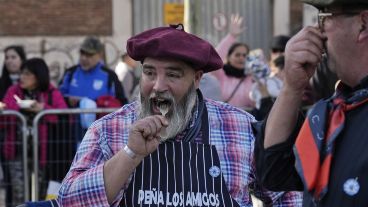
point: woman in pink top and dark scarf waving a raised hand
(234, 81)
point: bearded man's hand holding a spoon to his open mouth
(144, 135)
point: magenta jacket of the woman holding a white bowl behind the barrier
(57, 102)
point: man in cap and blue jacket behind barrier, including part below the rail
(90, 85)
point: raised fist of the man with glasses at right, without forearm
(302, 54)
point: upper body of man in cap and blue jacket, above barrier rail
(90, 78)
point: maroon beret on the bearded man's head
(174, 42)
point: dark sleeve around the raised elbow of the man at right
(275, 166)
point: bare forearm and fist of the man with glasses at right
(303, 53)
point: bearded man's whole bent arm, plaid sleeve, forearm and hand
(98, 177)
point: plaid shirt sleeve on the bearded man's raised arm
(84, 184)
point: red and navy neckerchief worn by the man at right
(314, 147)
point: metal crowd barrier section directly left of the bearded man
(75, 125)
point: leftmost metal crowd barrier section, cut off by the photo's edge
(20, 123)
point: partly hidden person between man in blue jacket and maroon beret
(125, 70)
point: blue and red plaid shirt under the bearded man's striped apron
(229, 130)
